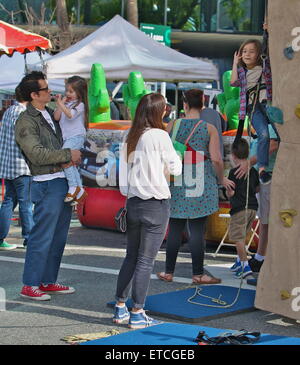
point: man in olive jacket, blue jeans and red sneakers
(40, 139)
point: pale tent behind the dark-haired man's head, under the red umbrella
(13, 70)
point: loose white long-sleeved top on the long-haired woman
(154, 154)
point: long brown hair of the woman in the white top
(149, 114)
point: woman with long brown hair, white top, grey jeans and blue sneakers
(146, 158)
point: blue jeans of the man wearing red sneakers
(48, 236)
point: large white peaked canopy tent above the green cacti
(121, 48)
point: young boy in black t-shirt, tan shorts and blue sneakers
(241, 220)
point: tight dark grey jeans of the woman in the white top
(147, 222)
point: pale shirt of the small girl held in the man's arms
(74, 126)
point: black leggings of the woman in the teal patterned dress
(196, 243)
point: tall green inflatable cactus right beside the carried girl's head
(99, 103)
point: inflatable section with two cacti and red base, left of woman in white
(100, 157)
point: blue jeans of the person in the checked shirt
(16, 191)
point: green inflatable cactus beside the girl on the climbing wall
(229, 101)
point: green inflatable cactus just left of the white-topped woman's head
(133, 91)
